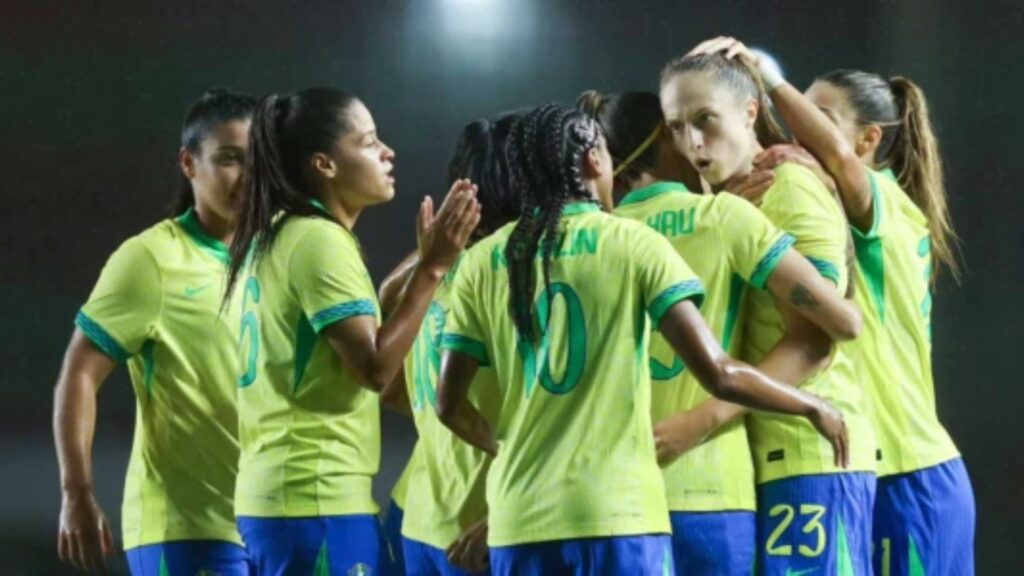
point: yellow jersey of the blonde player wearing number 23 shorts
(788, 446)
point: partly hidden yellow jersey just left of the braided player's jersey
(448, 493)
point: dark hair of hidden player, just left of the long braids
(481, 156)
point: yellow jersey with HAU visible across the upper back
(730, 244)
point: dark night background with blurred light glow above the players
(93, 94)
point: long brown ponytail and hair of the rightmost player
(909, 147)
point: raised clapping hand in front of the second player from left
(443, 237)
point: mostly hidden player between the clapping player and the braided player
(449, 485)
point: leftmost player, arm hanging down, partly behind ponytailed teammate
(156, 307)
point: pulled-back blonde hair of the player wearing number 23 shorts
(742, 79)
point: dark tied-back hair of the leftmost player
(215, 108)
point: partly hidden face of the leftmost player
(217, 171)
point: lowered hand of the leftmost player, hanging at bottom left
(86, 539)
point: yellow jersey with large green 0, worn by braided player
(577, 457)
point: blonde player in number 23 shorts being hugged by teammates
(812, 514)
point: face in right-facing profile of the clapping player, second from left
(365, 163)
